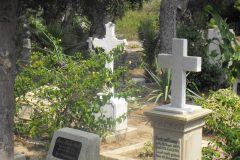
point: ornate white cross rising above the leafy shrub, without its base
(108, 43)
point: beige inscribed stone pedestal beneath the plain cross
(177, 136)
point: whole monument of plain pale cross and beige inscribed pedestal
(178, 126)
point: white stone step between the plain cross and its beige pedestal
(172, 109)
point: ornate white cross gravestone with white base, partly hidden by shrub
(116, 107)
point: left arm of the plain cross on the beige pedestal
(165, 60)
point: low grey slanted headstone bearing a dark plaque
(72, 144)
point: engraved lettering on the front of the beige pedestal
(167, 149)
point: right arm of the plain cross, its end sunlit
(192, 63)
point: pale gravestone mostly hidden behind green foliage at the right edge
(215, 36)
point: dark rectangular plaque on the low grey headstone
(67, 149)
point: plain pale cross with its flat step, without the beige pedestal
(179, 62)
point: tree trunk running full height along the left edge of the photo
(7, 76)
